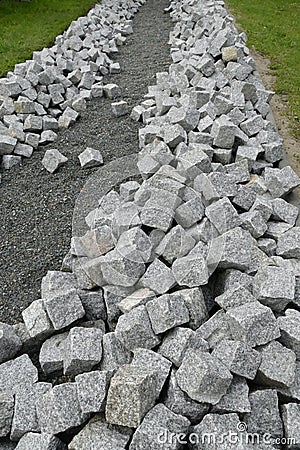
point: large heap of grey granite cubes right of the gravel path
(178, 313)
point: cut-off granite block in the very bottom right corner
(291, 422)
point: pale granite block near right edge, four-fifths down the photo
(278, 365)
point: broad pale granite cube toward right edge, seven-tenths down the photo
(253, 324)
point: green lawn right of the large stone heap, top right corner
(273, 28)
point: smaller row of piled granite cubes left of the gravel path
(48, 93)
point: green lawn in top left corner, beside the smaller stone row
(29, 26)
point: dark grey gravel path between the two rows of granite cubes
(36, 208)
